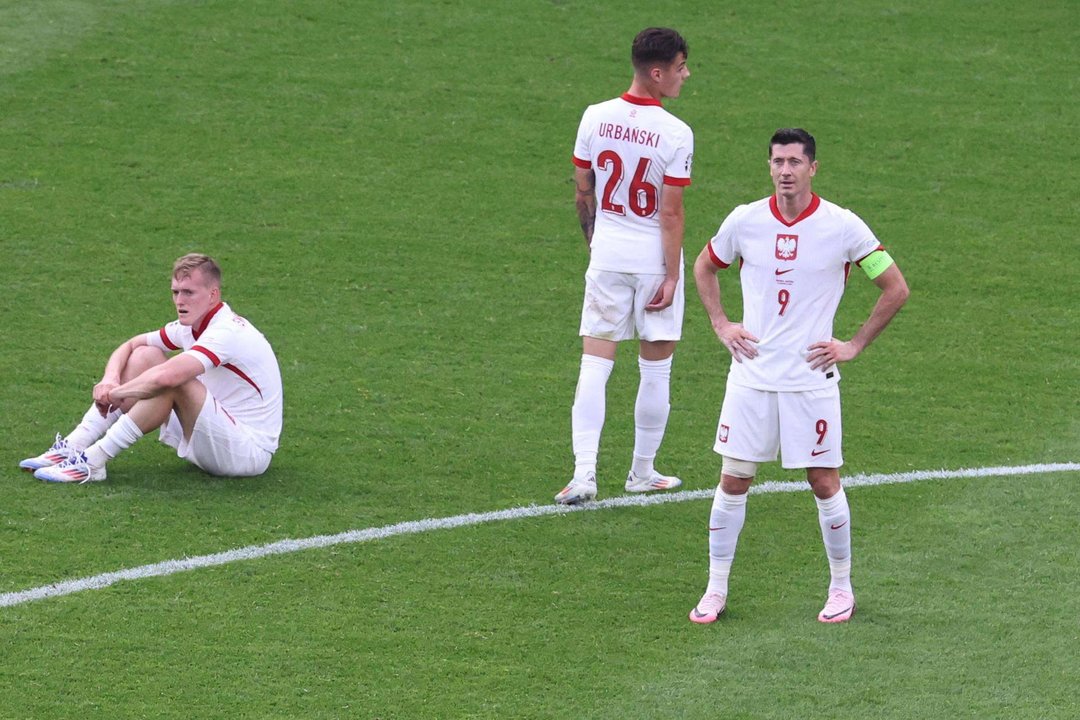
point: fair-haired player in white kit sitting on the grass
(219, 402)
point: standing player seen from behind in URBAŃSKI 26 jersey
(632, 162)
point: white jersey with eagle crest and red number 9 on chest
(793, 277)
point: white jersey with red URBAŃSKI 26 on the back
(636, 147)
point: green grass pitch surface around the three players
(388, 188)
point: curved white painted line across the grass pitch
(369, 535)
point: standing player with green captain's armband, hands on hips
(794, 252)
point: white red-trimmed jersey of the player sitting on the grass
(241, 369)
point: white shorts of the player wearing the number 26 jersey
(615, 308)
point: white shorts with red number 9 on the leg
(804, 427)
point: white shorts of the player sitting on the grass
(220, 444)
